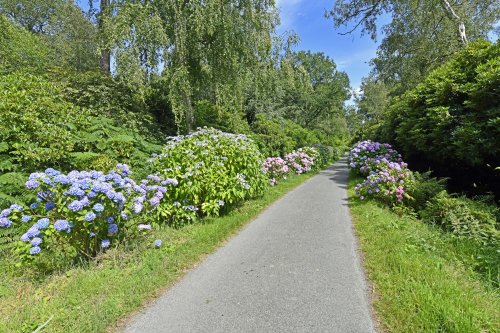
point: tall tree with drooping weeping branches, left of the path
(210, 50)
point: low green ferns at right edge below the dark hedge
(463, 217)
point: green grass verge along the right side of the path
(420, 282)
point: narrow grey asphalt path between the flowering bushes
(293, 269)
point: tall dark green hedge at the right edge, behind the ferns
(451, 121)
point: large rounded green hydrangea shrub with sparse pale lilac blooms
(214, 170)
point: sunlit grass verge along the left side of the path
(94, 298)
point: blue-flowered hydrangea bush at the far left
(83, 212)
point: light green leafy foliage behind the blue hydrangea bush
(40, 129)
